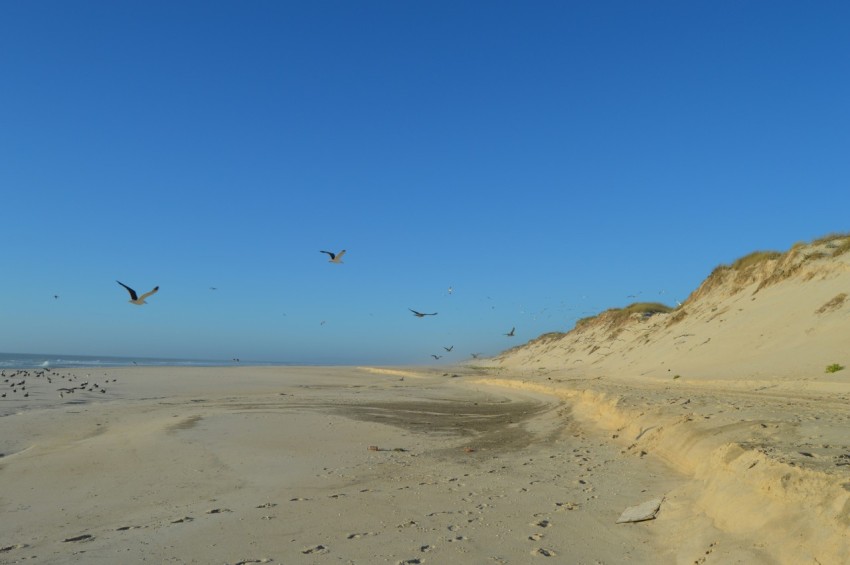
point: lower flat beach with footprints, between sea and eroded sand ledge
(315, 465)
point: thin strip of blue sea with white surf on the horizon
(41, 360)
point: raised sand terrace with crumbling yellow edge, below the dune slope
(768, 466)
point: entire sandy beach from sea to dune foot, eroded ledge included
(360, 465)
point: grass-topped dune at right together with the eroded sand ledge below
(731, 390)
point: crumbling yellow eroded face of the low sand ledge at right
(798, 514)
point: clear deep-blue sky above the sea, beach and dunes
(544, 160)
